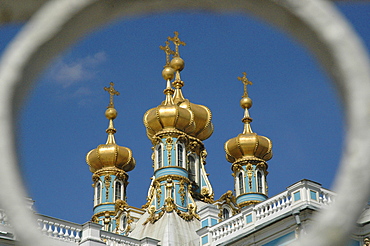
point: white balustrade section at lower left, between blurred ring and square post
(59, 229)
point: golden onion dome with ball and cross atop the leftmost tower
(110, 154)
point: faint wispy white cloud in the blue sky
(68, 73)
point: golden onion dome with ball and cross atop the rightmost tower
(248, 145)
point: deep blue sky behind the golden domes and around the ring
(294, 103)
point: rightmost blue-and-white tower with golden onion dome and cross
(249, 153)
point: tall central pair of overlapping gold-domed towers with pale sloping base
(176, 129)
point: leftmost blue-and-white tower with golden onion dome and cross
(109, 164)
